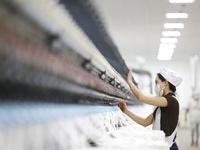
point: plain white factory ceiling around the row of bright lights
(136, 26)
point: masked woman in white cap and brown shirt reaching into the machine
(165, 117)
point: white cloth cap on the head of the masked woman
(171, 76)
